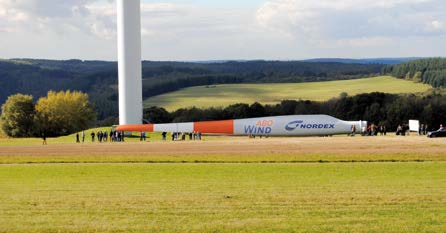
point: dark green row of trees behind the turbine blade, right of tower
(377, 108)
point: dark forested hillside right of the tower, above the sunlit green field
(161, 77)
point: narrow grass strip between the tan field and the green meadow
(267, 158)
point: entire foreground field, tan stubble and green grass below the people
(230, 184)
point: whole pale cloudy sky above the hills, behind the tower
(200, 30)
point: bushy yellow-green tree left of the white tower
(64, 112)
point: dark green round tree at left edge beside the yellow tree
(18, 116)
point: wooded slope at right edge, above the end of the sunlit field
(431, 71)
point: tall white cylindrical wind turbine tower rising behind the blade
(129, 62)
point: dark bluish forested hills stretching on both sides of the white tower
(99, 78)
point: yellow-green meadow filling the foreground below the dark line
(315, 197)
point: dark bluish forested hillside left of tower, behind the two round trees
(37, 77)
